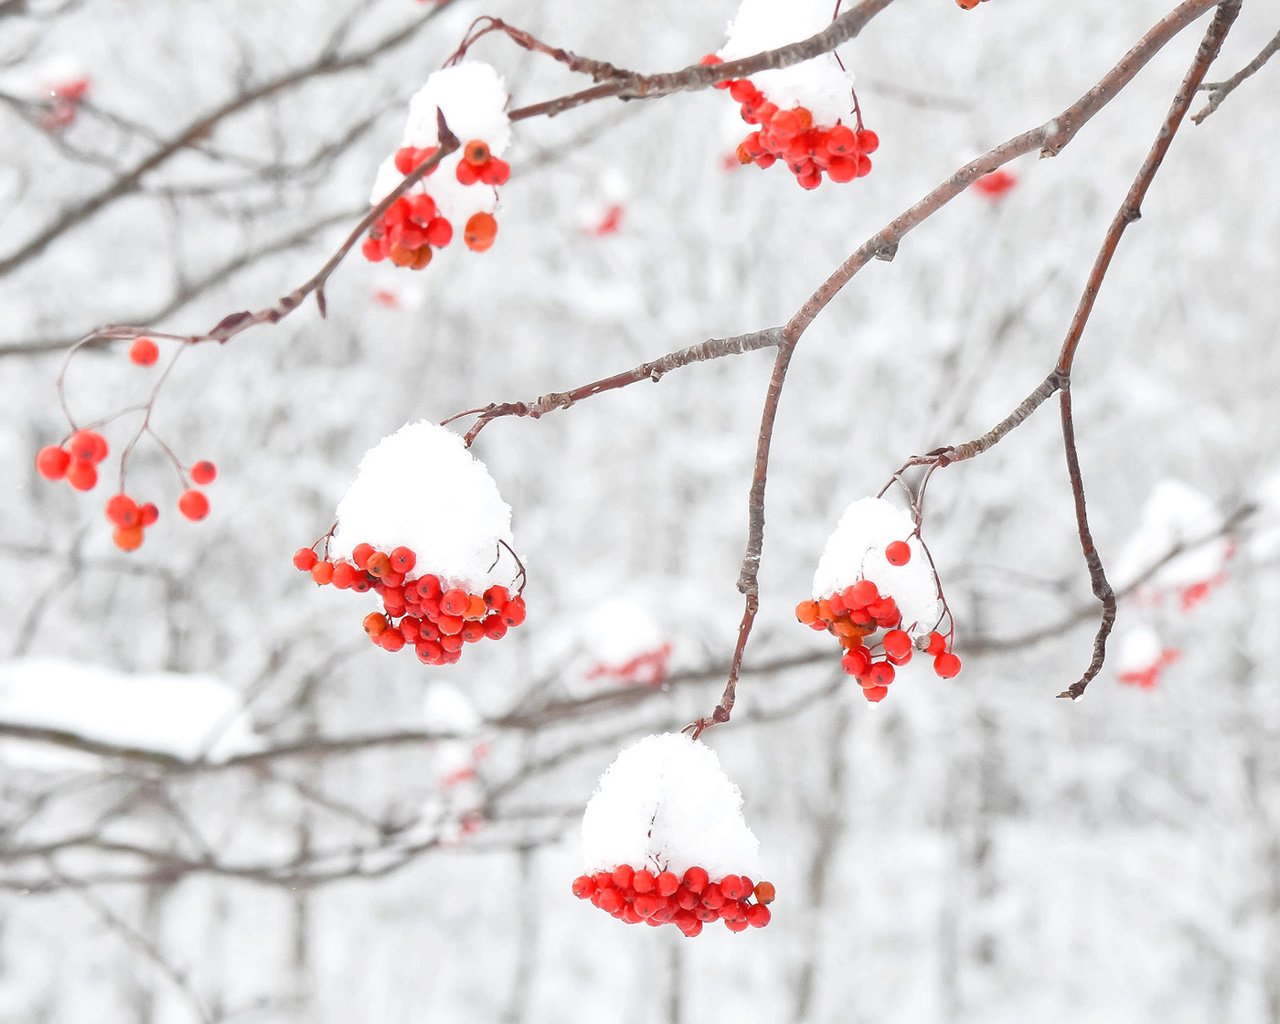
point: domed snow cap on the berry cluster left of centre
(423, 490)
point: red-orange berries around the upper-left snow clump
(413, 228)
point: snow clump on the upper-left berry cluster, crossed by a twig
(473, 99)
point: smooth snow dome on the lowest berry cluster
(666, 804)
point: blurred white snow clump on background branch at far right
(1174, 515)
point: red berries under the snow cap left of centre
(423, 614)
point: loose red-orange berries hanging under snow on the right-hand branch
(860, 612)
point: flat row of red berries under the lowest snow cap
(639, 895)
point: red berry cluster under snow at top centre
(792, 136)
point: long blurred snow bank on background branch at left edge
(185, 716)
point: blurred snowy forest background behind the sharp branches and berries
(380, 842)
